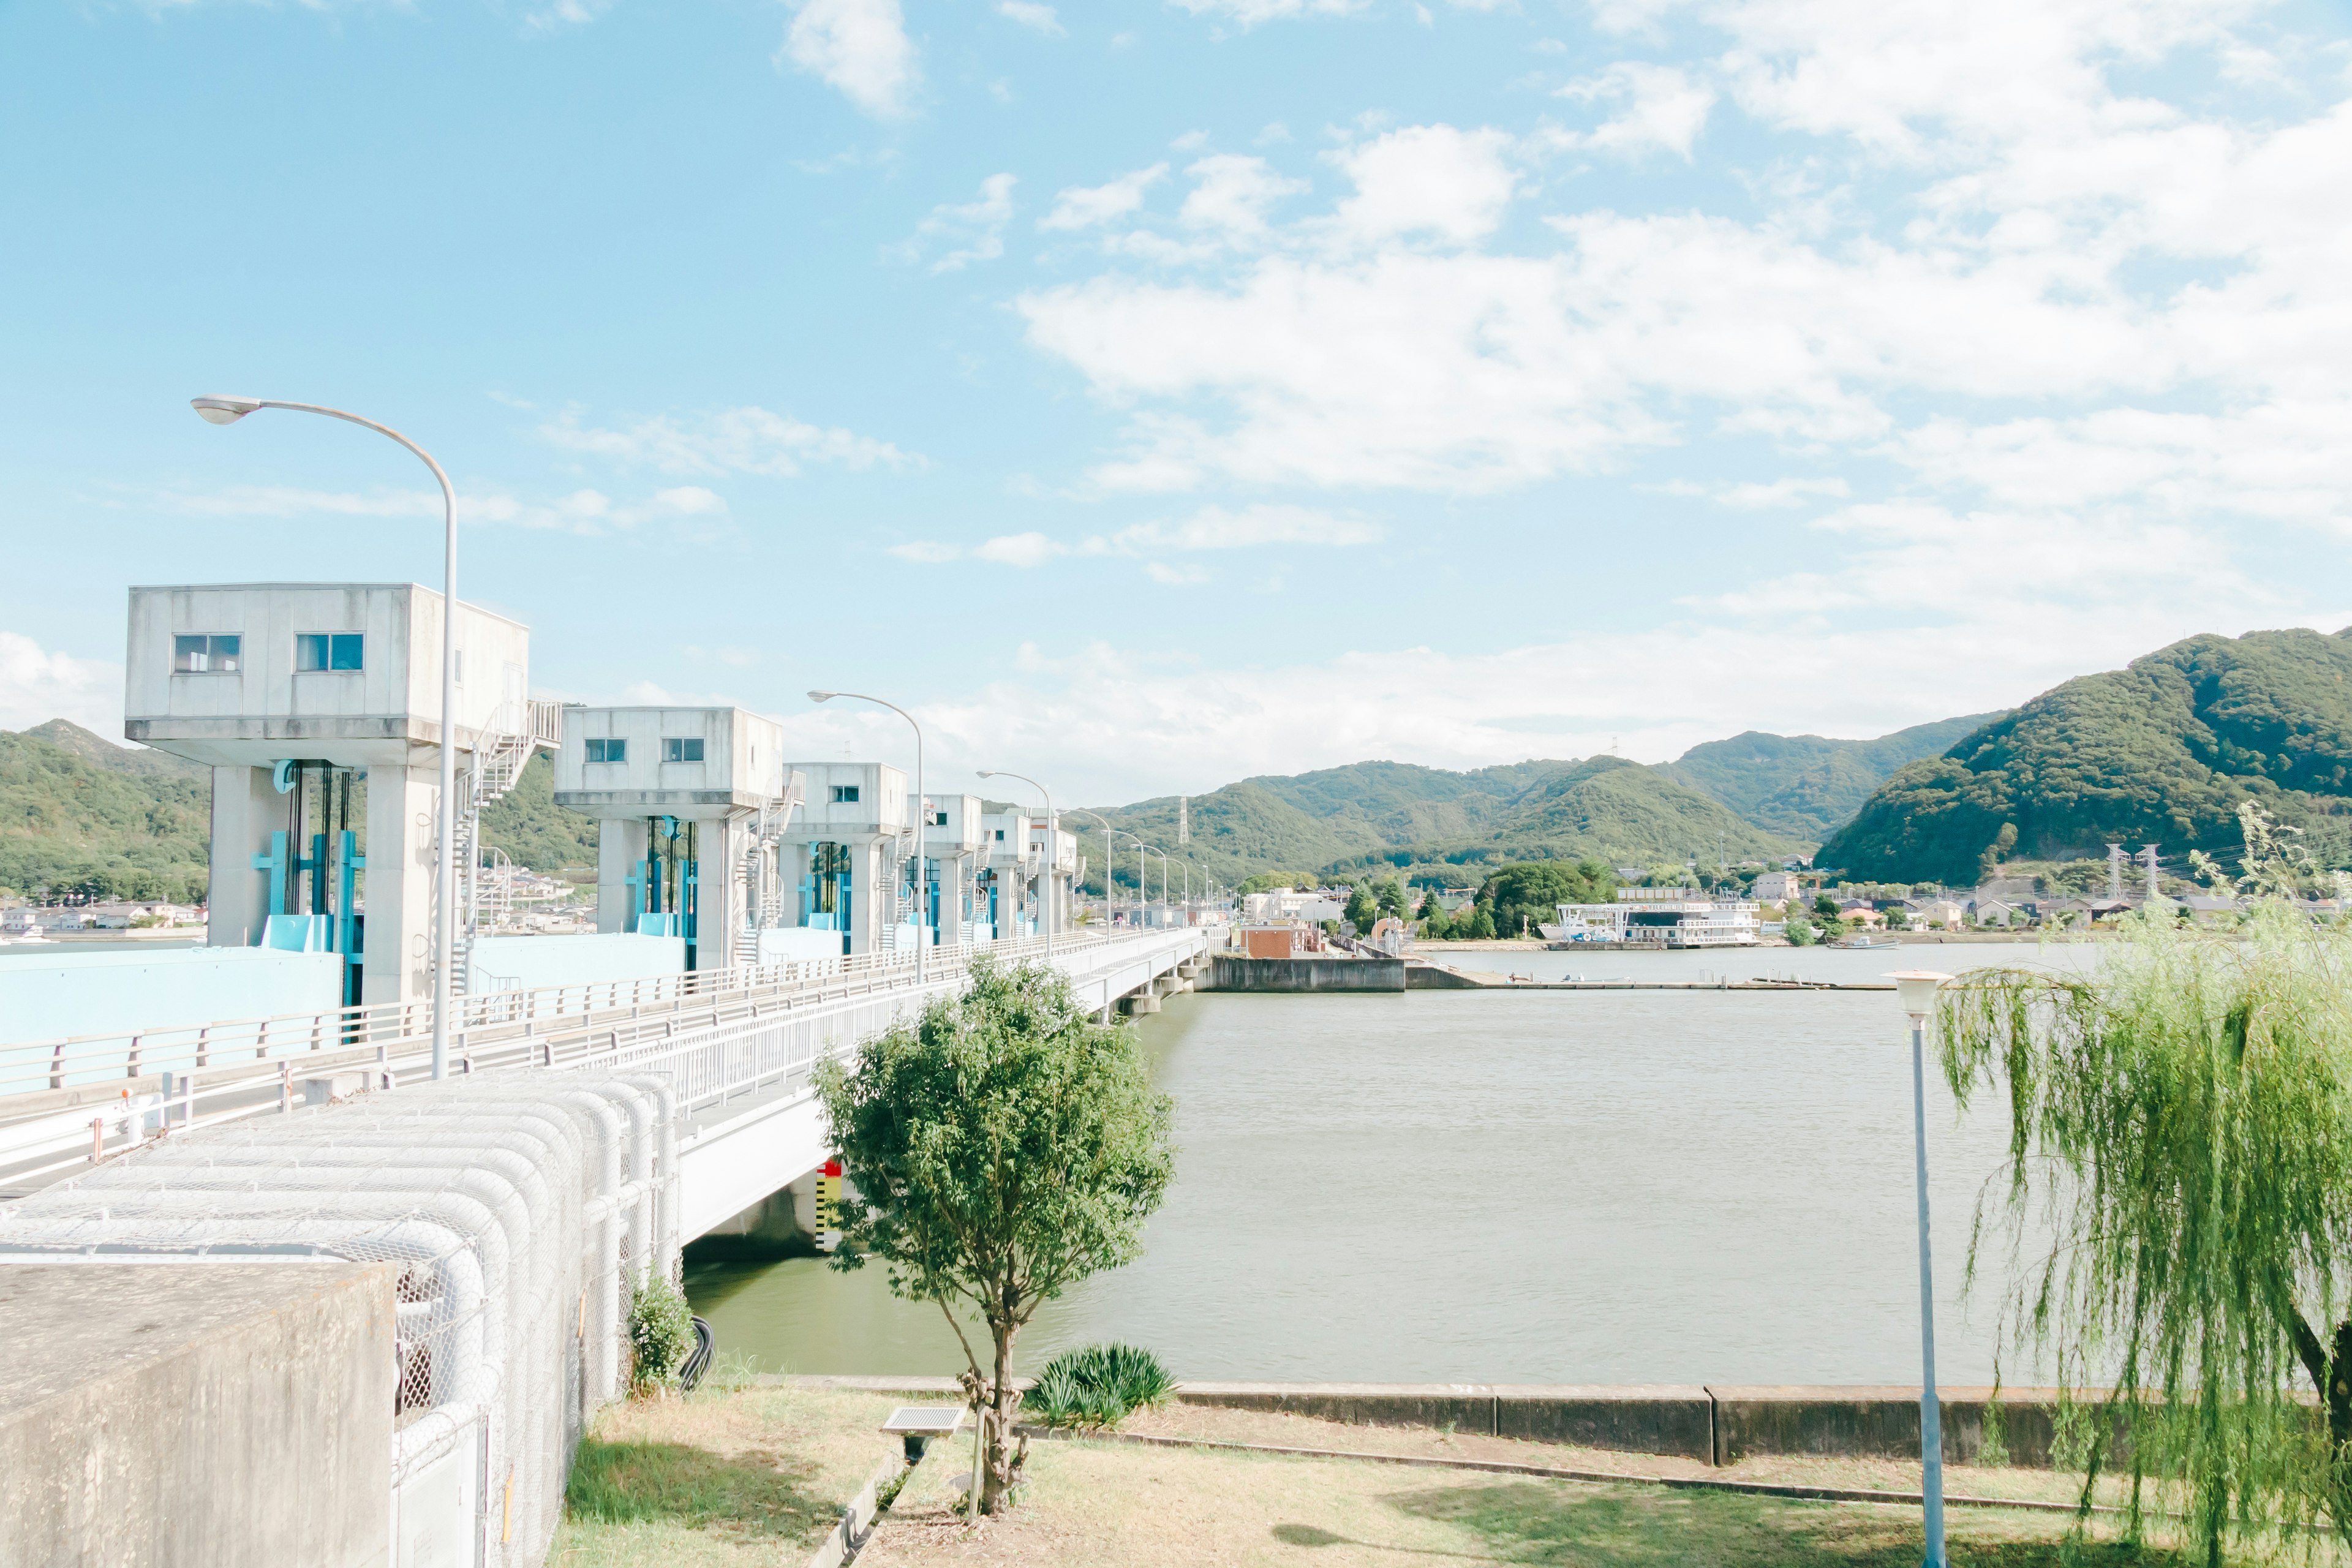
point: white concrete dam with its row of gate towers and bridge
(610, 1097)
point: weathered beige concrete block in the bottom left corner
(182, 1416)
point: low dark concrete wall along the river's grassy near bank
(1711, 1423)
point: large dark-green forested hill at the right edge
(2156, 753)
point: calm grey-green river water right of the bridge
(1509, 1188)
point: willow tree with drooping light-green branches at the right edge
(2179, 1207)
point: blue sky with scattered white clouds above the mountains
(1156, 394)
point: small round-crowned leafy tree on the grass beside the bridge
(1003, 1146)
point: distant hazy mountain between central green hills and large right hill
(1808, 786)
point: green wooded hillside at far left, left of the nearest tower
(79, 815)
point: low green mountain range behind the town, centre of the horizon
(1391, 815)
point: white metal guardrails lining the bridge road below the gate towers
(175, 1080)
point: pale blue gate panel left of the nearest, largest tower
(51, 993)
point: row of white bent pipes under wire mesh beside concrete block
(521, 1207)
